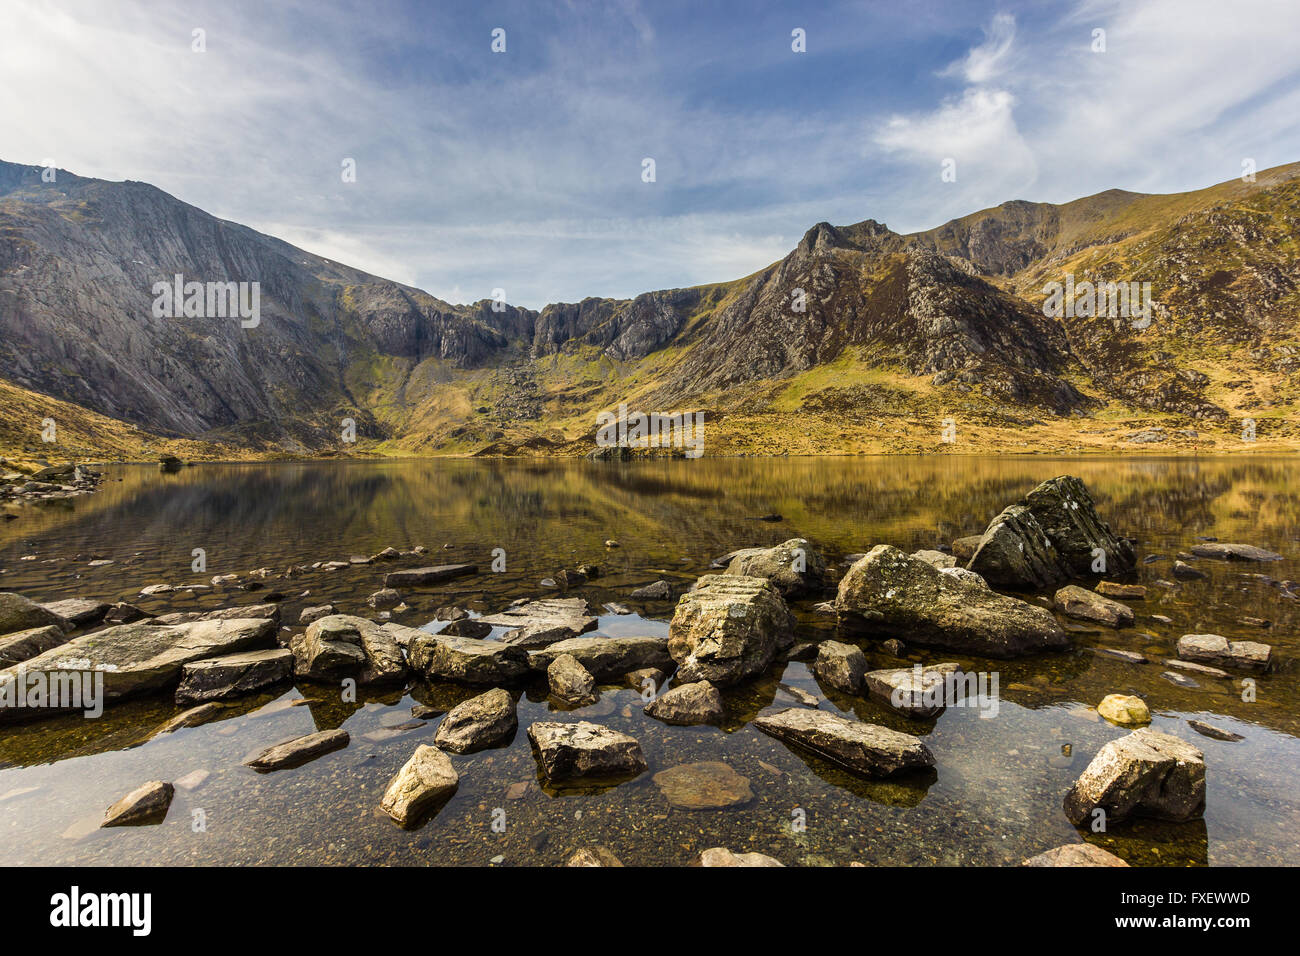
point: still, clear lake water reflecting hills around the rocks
(994, 799)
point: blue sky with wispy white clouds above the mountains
(525, 170)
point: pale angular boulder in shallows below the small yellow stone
(1145, 775)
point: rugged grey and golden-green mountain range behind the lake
(861, 339)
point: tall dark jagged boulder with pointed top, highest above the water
(1048, 538)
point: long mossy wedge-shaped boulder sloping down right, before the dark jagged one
(891, 592)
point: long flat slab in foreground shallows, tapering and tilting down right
(868, 750)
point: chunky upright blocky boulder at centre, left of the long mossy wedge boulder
(729, 629)
